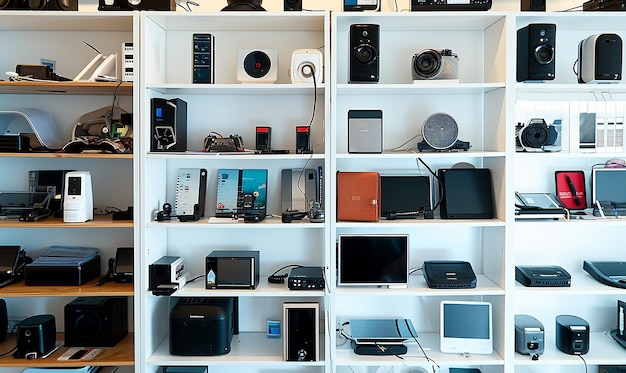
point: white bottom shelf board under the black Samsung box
(246, 349)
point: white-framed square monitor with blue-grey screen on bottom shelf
(466, 327)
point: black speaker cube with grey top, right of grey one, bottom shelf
(572, 334)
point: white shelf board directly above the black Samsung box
(264, 289)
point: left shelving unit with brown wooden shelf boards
(58, 37)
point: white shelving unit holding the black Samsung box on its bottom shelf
(229, 107)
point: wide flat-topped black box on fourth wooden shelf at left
(64, 266)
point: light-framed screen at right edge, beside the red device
(608, 185)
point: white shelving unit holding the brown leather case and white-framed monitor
(478, 103)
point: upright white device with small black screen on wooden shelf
(77, 197)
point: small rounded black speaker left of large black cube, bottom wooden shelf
(35, 335)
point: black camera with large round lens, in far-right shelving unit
(538, 136)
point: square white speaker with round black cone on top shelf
(257, 66)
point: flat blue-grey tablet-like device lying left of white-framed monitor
(382, 330)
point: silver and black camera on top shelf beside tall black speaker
(435, 64)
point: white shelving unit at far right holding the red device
(568, 243)
